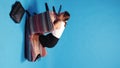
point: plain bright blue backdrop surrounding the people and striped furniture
(90, 40)
